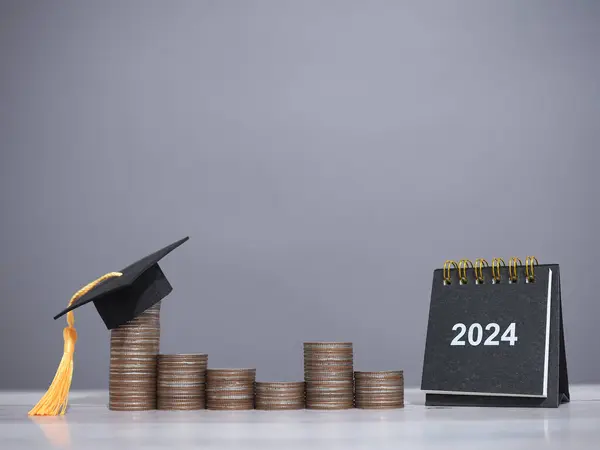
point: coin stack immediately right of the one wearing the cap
(181, 381)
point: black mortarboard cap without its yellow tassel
(121, 299)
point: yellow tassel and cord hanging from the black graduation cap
(54, 402)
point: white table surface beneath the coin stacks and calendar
(90, 425)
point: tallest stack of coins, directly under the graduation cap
(133, 350)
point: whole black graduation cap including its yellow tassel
(119, 297)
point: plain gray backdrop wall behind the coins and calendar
(324, 157)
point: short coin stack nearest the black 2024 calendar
(379, 390)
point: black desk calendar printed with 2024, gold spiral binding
(496, 338)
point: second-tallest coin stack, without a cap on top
(329, 375)
